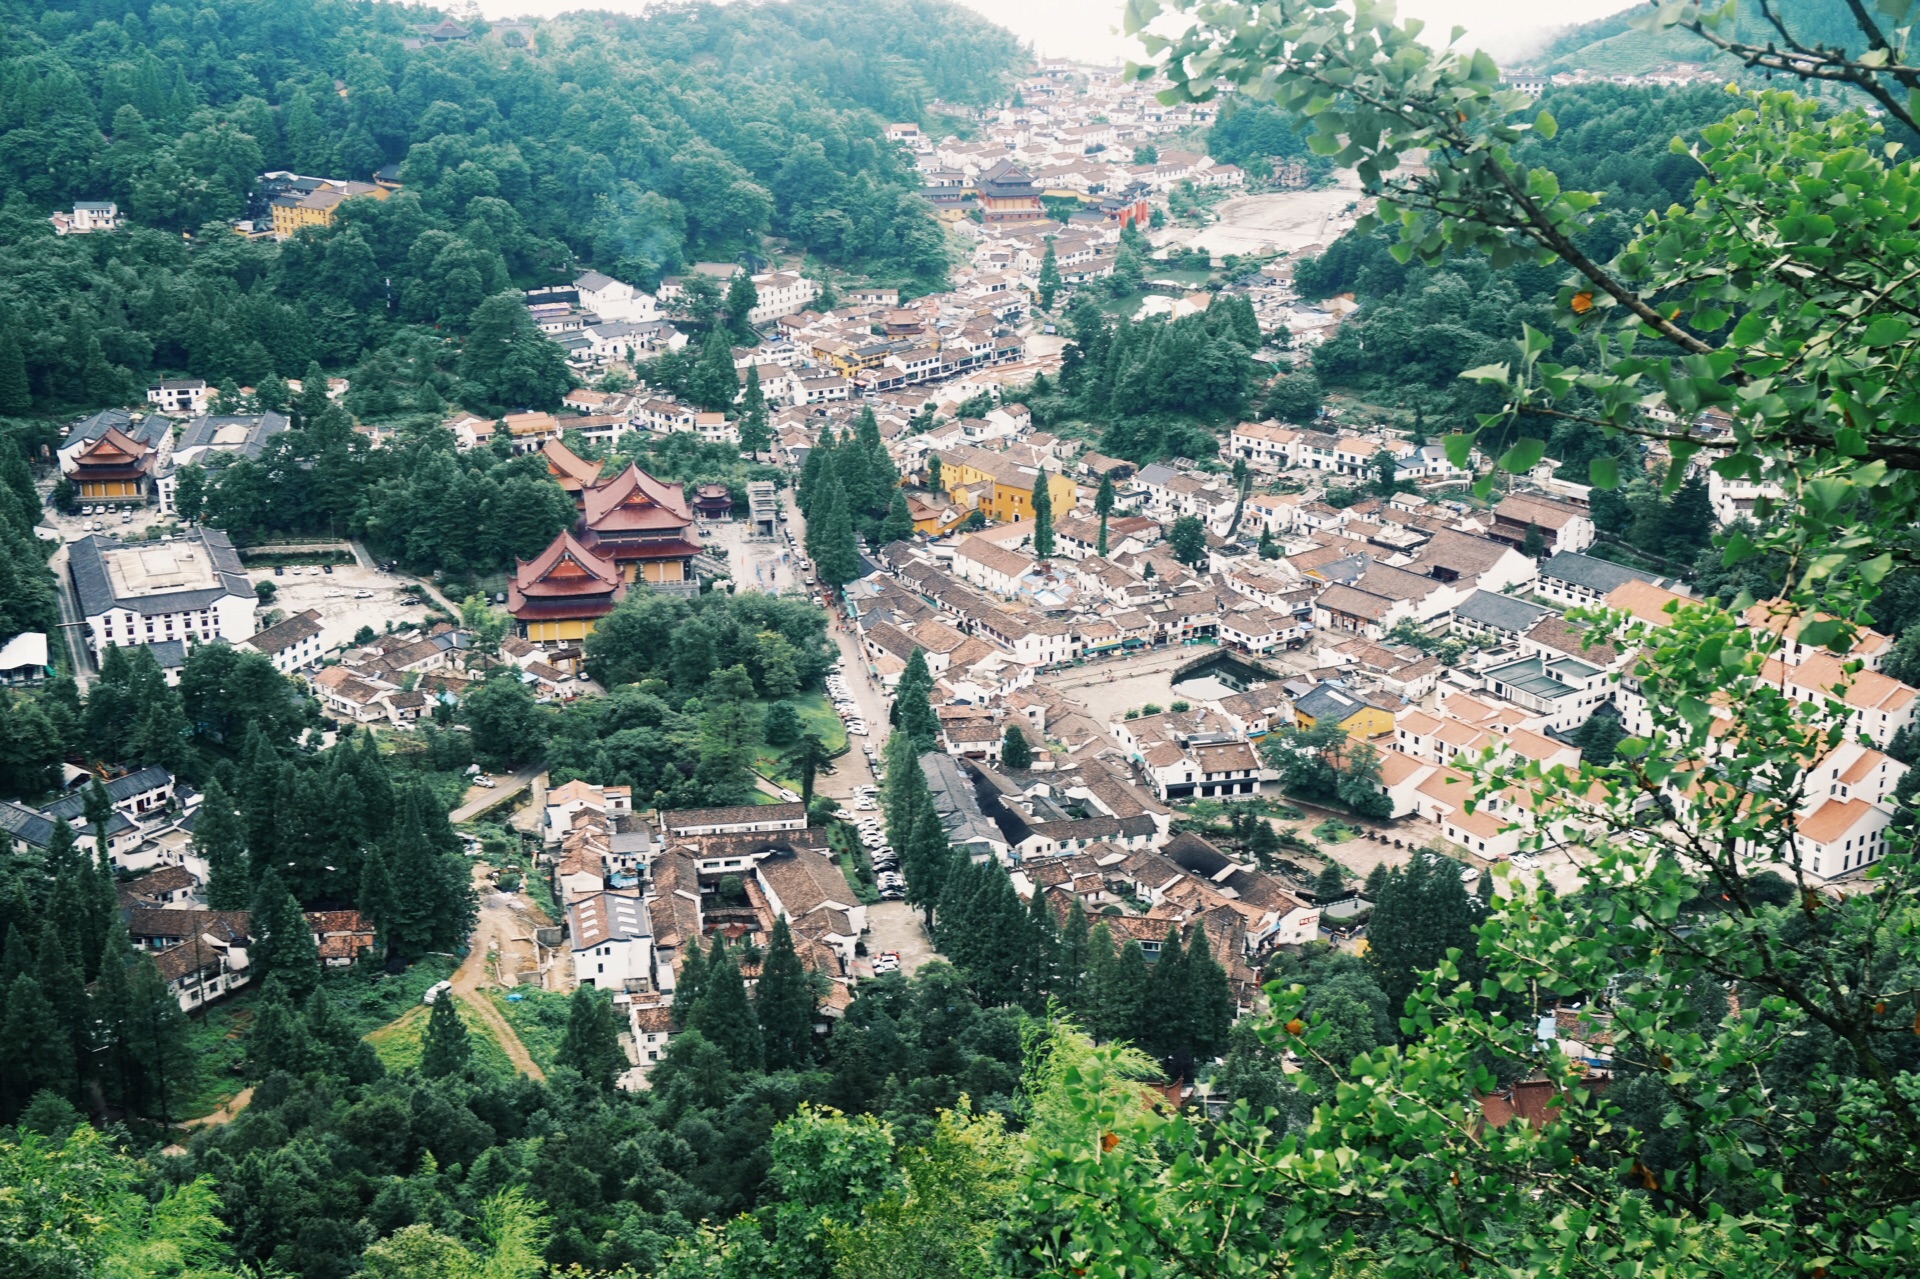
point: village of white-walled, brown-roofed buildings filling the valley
(1211, 698)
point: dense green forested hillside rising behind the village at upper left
(633, 145)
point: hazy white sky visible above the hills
(1090, 30)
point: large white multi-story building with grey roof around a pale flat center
(187, 589)
